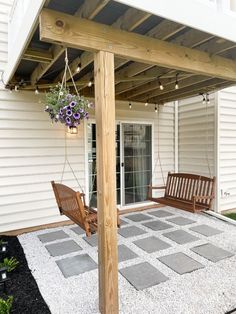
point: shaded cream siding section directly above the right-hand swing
(196, 136)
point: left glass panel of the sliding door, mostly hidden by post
(92, 164)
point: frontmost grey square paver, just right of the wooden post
(143, 275)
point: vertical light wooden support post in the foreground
(106, 180)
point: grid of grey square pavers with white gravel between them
(154, 240)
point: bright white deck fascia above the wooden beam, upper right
(204, 17)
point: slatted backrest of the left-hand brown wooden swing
(70, 203)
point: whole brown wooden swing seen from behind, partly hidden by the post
(72, 204)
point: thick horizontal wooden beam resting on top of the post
(93, 36)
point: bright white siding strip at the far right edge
(227, 148)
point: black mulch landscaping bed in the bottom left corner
(21, 284)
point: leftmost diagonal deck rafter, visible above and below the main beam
(89, 9)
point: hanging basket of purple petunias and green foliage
(69, 109)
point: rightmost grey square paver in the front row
(211, 252)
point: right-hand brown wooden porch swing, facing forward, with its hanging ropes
(190, 192)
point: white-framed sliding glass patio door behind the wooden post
(133, 162)
